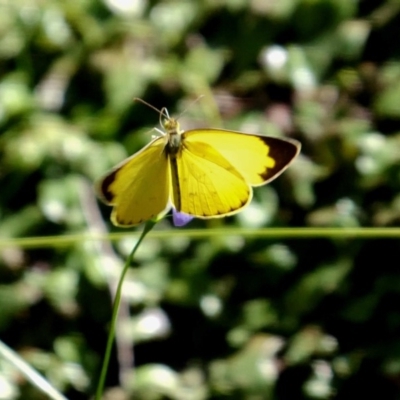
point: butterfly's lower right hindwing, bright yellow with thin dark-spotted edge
(205, 184)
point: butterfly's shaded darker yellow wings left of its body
(138, 188)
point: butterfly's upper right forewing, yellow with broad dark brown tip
(259, 159)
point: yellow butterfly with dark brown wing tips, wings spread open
(206, 173)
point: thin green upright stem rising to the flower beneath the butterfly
(100, 387)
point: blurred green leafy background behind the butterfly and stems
(215, 317)
